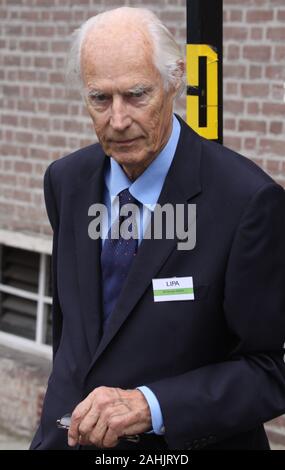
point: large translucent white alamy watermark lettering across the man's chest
(167, 221)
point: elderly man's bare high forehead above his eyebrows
(115, 55)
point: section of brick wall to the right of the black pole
(254, 81)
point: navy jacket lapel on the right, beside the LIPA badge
(182, 184)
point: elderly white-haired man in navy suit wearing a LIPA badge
(157, 347)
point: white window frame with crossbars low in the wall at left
(43, 246)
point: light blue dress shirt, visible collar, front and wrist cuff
(145, 189)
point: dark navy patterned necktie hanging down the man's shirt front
(116, 258)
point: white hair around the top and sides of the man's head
(167, 55)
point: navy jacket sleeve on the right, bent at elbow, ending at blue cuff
(223, 399)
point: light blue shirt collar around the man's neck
(147, 187)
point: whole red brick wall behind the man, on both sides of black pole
(40, 122)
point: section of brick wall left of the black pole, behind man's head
(39, 122)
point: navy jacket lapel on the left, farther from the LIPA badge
(88, 253)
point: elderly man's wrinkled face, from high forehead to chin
(131, 111)
